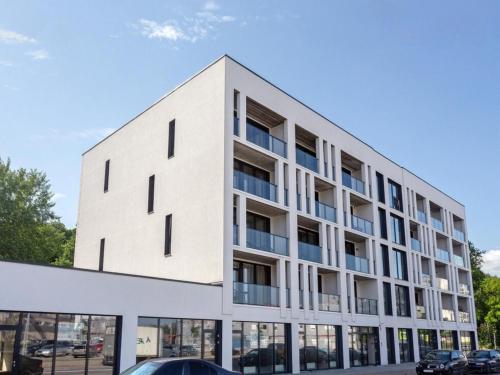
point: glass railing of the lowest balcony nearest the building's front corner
(255, 294)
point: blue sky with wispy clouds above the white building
(419, 81)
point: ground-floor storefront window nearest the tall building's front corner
(260, 348)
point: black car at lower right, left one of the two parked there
(442, 362)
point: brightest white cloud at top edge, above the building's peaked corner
(190, 29)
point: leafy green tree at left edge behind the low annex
(30, 231)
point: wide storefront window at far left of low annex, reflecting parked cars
(50, 343)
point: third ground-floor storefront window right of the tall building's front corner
(363, 346)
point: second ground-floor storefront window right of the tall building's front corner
(319, 346)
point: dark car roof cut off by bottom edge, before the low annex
(177, 366)
